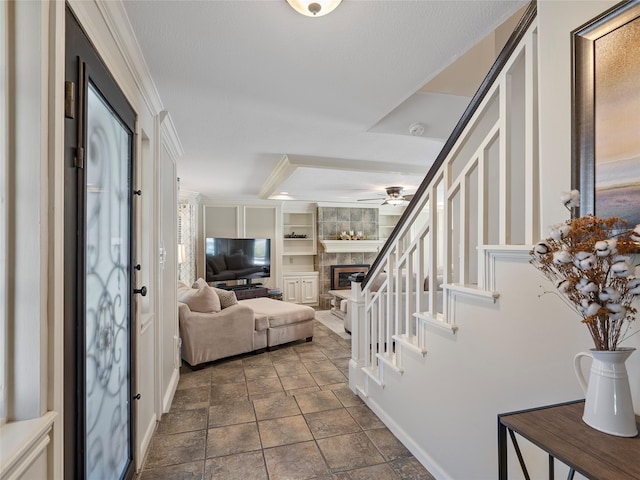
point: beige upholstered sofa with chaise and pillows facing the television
(214, 324)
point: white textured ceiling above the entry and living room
(250, 82)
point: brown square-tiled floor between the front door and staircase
(285, 414)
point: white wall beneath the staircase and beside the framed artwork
(514, 354)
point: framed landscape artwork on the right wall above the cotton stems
(606, 114)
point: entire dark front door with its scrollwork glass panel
(99, 154)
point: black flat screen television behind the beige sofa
(237, 259)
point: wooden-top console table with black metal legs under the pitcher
(560, 431)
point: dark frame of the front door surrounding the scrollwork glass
(83, 63)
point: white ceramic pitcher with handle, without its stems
(608, 405)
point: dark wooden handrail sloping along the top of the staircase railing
(522, 27)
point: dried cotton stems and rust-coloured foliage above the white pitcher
(589, 260)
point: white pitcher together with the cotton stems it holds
(588, 259)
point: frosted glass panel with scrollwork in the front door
(107, 291)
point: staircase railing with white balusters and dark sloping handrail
(481, 193)
